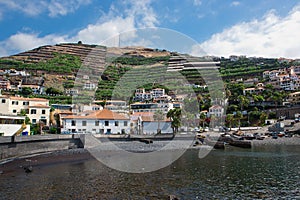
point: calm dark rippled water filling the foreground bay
(270, 173)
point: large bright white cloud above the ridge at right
(271, 36)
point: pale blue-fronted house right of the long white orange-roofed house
(145, 123)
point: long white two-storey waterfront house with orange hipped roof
(101, 122)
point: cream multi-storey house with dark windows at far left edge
(37, 109)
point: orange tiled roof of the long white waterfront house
(100, 114)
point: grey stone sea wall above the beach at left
(15, 146)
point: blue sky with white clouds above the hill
(261, 28)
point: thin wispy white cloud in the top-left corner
(35, 7)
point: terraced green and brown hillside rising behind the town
(58, 66)
